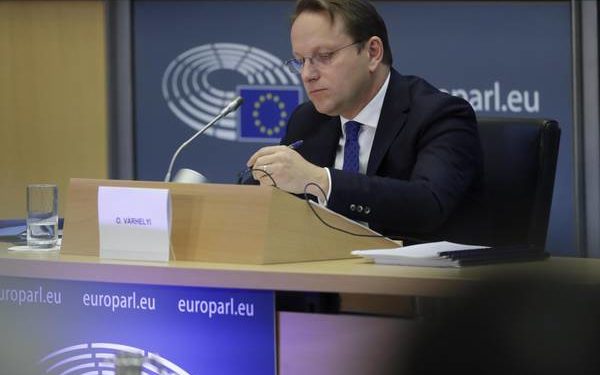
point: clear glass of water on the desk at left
(42, 216)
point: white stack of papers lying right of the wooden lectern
(427, 254)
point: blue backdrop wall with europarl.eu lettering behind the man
(506, 58)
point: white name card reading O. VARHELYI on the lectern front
(134, 223)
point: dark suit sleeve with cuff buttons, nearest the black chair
(444, 144)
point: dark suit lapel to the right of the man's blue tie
(391, 120)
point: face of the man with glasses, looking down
(343, 85)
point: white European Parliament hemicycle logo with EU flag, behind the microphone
(199, 82)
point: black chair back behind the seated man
(519, 166)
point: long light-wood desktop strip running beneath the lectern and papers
(342, 276)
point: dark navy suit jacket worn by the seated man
(424, 174)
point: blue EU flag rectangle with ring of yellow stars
(265, 111)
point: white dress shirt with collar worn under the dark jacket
(369, 118)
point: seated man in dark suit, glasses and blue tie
(386, 149)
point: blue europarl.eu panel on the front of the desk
(57, 327)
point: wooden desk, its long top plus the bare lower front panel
(309, 343)
